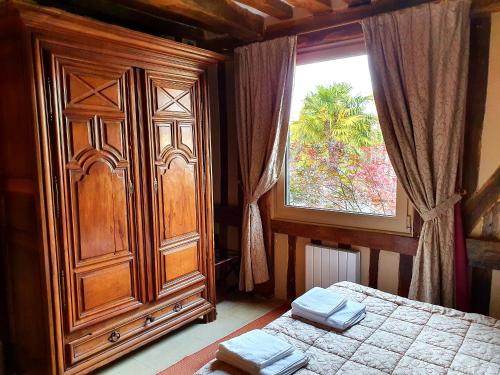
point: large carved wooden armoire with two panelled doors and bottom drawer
(106, 192)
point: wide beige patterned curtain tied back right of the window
(419, 63)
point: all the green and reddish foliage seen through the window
(337, 158)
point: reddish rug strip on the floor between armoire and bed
(190, 364)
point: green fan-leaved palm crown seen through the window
(333, 115)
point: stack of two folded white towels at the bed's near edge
(259, 353)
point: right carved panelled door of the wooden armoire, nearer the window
(177, 179)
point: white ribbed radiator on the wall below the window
(326, 266)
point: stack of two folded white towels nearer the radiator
(345, 313)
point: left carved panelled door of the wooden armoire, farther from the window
(95, 158)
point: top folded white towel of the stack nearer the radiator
(320, 302)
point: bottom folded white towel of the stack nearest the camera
(284, 366)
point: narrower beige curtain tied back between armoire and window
(264, 79)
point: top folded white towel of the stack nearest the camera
(253, 351)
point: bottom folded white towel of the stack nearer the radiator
(350, 314)
